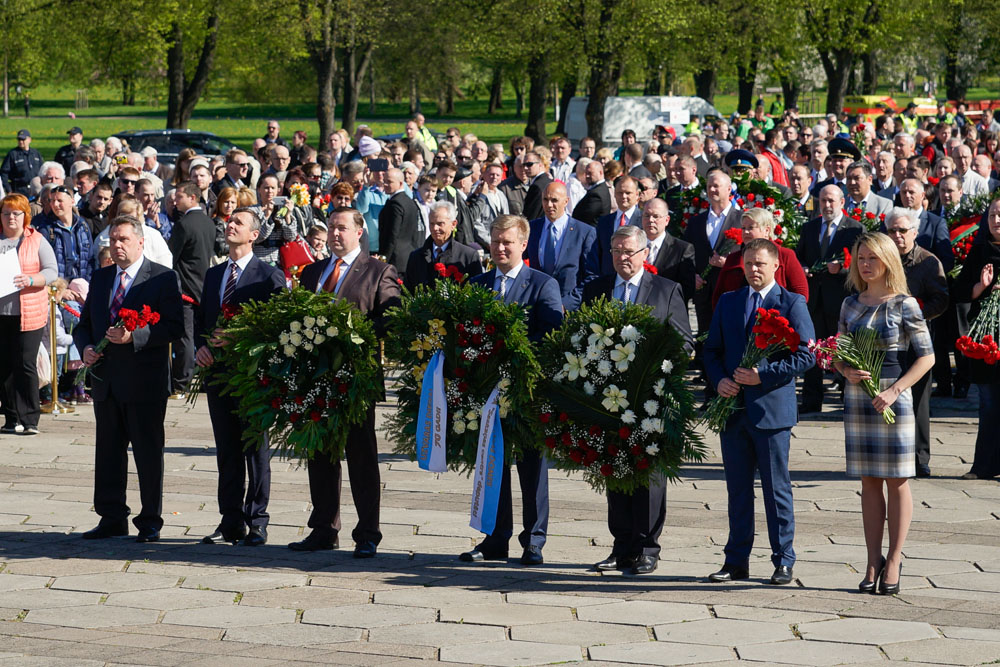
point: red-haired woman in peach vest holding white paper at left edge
(24, 312)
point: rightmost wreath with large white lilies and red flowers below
(613, 402)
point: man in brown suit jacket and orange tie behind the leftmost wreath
(373, 287)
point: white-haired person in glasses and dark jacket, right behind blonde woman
(927, 283)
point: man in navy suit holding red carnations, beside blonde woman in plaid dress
(758, 434)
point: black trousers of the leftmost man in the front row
(118, 424)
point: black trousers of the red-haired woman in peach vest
(18, 359)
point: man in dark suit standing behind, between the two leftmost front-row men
(192, 242)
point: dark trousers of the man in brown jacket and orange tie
(325, 477)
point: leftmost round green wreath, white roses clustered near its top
(303, 371)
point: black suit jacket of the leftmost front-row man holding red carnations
(137, 372)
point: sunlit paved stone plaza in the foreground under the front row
(64, 600)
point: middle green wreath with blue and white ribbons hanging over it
(485, 343)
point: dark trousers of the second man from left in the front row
(237, 465)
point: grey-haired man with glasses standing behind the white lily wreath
(636, 520)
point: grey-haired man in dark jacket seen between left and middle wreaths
(441, 248)
